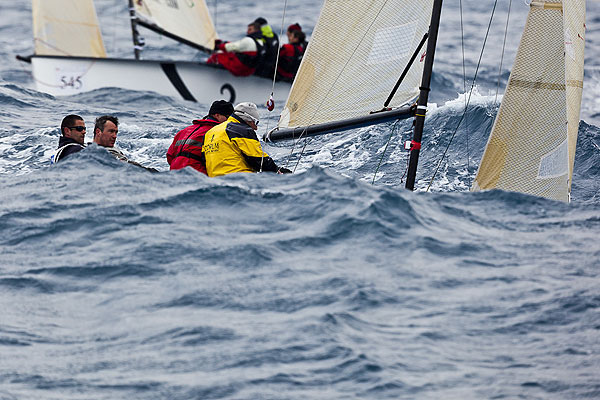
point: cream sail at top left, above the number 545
(66, 28)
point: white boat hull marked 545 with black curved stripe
(66, 76)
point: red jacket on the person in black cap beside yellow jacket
(186, 149)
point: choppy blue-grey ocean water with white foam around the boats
(116, 283)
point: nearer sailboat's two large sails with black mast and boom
(531, 148)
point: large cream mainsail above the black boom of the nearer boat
(356, 54)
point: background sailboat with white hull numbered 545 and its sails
(70, 56)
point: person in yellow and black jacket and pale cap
(234, 147)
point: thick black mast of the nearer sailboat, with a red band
(415, 145)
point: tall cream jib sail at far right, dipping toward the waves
(532, 144)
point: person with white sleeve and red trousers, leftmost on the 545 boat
(242, 57)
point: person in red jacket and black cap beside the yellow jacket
(186, 149)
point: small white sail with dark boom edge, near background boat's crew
(188, 19)
